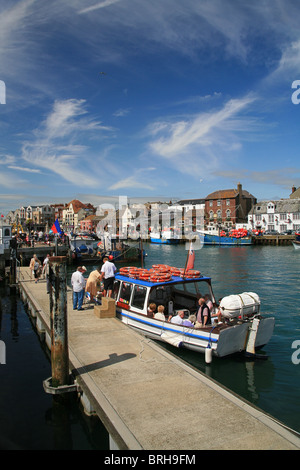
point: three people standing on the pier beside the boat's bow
(80, 285)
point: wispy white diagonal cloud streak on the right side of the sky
(197, 141)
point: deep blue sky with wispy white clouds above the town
(160, 99)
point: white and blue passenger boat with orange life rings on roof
(242, 328)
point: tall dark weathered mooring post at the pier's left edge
(58, 321)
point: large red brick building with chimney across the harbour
(228, 206)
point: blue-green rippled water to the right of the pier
(273, 273)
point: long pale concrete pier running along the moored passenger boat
(146, 397)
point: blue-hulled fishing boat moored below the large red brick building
(214, 236)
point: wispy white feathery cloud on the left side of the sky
(55, 145)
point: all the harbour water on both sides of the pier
(31, 419)
